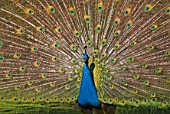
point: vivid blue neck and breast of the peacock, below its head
(88, 93)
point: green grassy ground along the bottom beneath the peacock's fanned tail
(58, 108)
